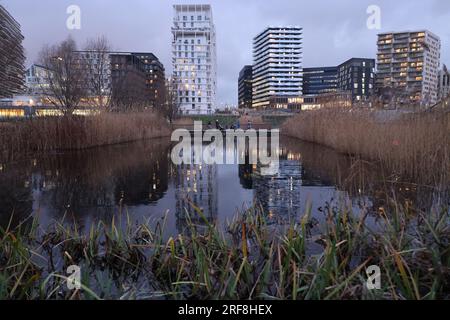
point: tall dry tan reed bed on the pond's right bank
(416, 144)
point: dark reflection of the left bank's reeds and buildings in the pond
(91, 183)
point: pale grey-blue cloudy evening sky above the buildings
(333, 30)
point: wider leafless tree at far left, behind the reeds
(65, 81)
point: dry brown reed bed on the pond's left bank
(77, 132)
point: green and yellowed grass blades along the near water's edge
(251, 260)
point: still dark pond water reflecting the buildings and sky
(139, 178)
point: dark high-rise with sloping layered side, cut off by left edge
(12, 58)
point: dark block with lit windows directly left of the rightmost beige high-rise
(357, 76)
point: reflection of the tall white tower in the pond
(196, 190)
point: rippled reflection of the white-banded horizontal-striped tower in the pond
(279, 194)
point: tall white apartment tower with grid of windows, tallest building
(194, 58)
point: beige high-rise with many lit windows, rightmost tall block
(408, 64)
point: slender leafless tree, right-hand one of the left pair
(98, 71)
